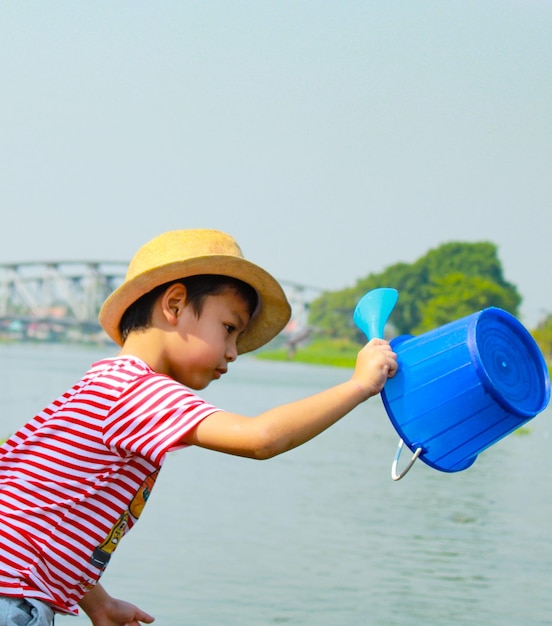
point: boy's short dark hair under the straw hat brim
(138, 314)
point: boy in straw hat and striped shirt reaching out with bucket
(77, 476)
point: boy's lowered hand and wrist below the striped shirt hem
(104, 610)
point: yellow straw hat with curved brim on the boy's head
(182, 253)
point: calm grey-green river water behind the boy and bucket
(321, 536)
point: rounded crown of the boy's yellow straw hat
(182, 245)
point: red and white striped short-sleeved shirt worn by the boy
(76, 477)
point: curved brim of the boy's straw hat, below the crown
(272, 316)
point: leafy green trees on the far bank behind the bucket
(447, 283)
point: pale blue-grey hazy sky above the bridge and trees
(332, 139)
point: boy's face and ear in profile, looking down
(201, 348)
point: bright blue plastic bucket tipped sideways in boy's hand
(464, 386)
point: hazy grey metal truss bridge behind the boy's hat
(60, 300)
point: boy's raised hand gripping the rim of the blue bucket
(376, 362)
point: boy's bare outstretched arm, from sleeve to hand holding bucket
(285, 427)
